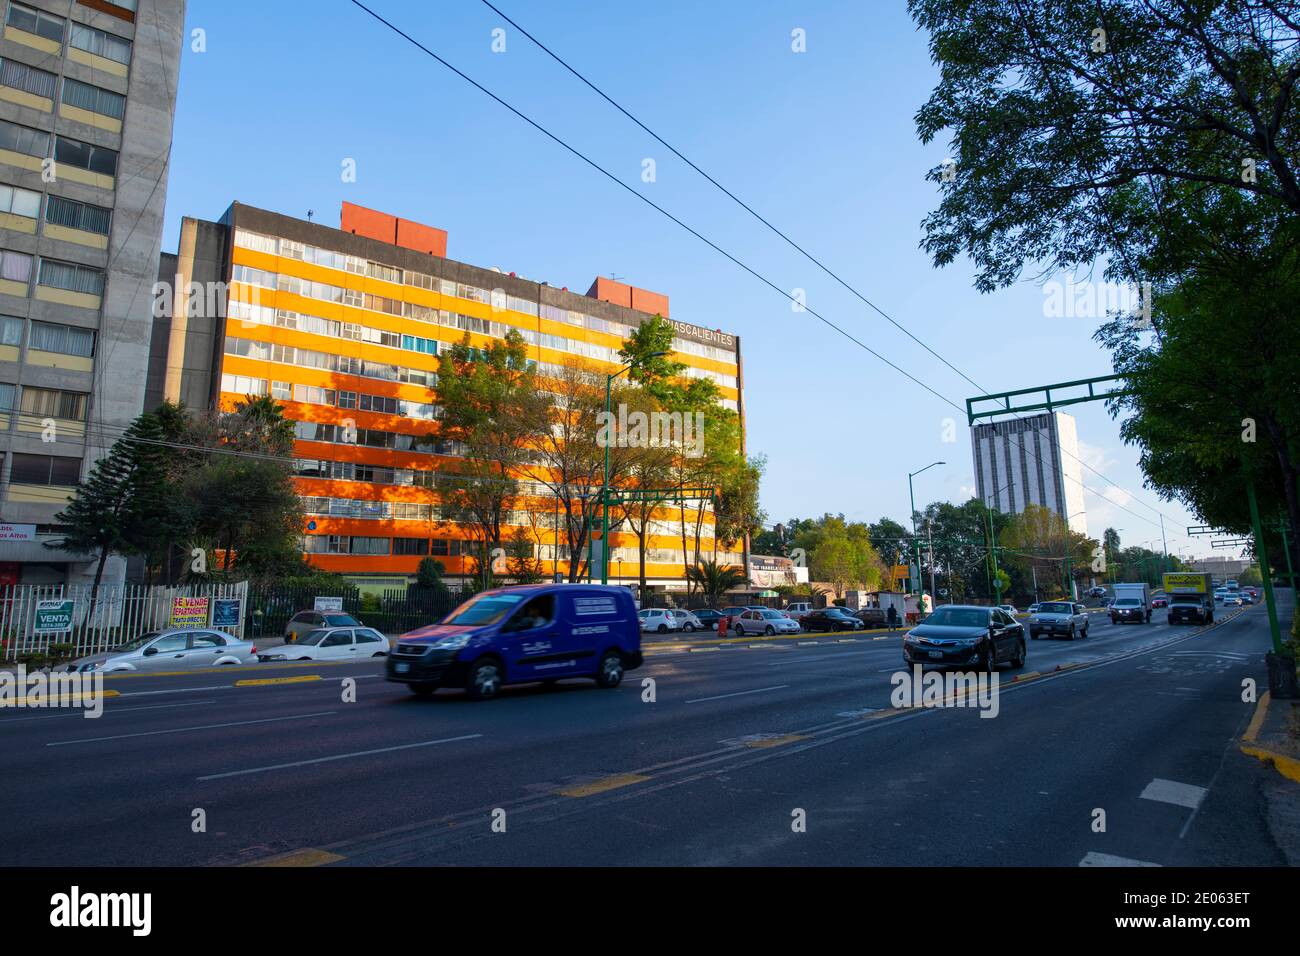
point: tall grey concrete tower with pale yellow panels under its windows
(88, 100)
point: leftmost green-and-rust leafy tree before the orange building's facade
(493, 410)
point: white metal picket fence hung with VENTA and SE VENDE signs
(32, 621)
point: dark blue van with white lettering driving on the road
(522, 635)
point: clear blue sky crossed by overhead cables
(821, 142)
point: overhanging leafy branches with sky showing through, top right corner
(1060, 113)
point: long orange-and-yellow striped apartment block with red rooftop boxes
(344, 327)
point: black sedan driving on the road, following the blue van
(967, 637)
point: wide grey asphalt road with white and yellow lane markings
(740, 745)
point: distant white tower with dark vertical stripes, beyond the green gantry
(1032, 461)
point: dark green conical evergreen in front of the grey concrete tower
(120, 503)
